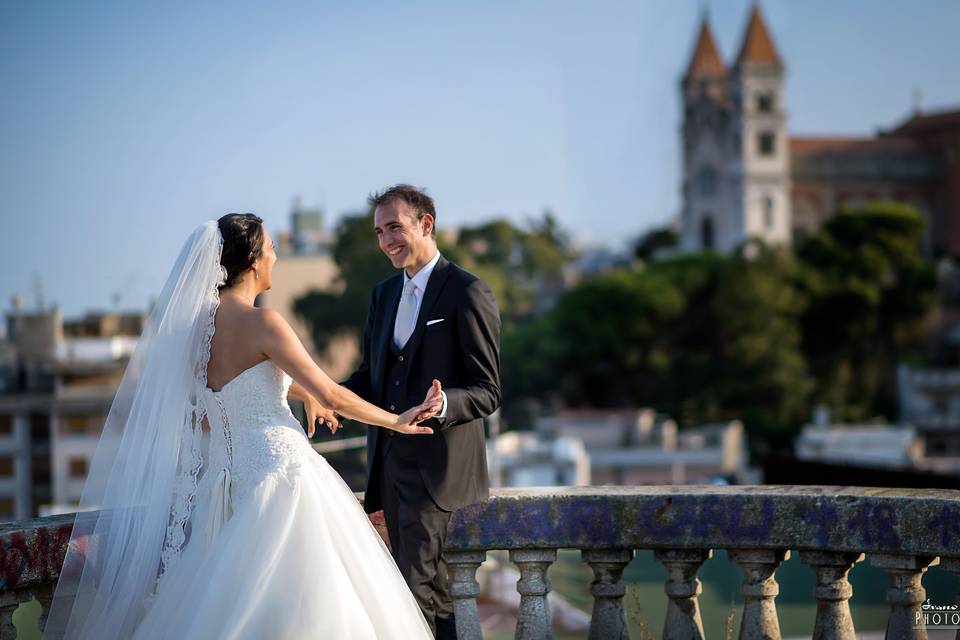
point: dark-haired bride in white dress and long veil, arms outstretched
(206, 513)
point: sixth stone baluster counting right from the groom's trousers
(832, 592)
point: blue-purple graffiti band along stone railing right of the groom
(722, 519)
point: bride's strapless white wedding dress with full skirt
(278, 546)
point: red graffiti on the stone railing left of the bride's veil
(30, 555)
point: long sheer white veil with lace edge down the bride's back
(139, 492)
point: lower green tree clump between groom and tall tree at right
(703, 337)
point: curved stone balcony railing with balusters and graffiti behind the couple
(901, 531)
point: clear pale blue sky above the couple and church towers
(123, 127)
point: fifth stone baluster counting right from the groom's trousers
(760, 621)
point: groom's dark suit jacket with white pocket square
(463, 353)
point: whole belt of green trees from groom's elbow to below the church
(759, 335)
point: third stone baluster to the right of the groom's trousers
(607, 619)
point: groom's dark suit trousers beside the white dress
(417, 529)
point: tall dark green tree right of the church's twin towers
(870, 289)
